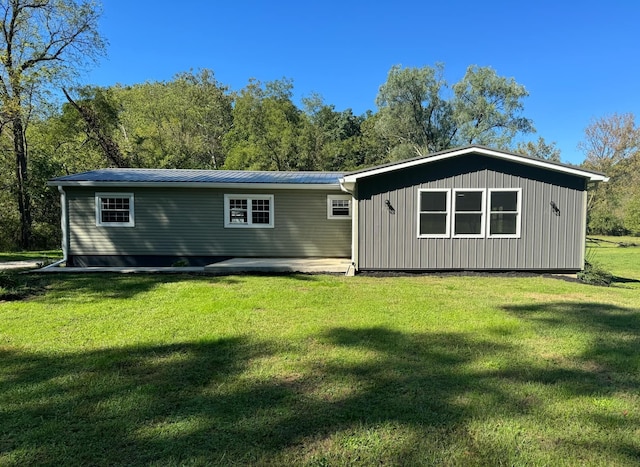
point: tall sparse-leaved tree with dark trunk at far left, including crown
(42, 43)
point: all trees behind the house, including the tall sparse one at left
(49, 127)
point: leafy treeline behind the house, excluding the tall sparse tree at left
(194, 121)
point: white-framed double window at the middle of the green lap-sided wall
(252, 211)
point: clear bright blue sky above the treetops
(579, 60)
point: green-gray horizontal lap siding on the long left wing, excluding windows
(190, 222)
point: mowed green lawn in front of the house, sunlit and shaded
(322, 370)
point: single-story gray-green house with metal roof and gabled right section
(471, 208)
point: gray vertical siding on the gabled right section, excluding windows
(388, 239)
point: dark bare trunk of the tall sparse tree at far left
(24, 201)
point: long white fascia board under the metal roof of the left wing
(260, 186)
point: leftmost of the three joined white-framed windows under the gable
(434, 207)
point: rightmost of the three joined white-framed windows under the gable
(504, 207)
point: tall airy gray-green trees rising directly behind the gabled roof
(421, 116)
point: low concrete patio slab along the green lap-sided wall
(305, 265)
